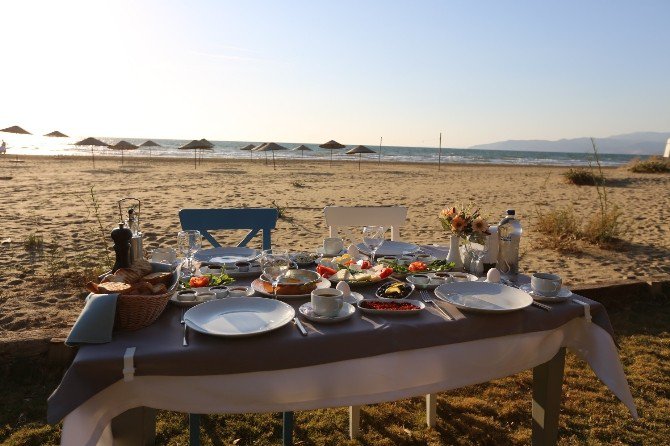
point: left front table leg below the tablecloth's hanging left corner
(135, 427)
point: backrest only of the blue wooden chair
(254, 219)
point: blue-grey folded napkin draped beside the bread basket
(95, 322)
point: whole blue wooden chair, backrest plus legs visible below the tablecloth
(254, 219)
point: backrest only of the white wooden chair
(342, 216)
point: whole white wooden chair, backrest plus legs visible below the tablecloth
(338, 218)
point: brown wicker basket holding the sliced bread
(138, 311)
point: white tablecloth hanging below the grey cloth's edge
(370, 380)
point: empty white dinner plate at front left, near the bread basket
(239, 316)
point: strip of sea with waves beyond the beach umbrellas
(39, 145)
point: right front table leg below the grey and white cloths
(547, 383)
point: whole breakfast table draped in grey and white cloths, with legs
(111, 391)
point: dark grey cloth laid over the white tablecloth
(159, 348)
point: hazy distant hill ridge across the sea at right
(638, 143)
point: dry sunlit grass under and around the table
(496, 413)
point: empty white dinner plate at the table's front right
(483, 297)
